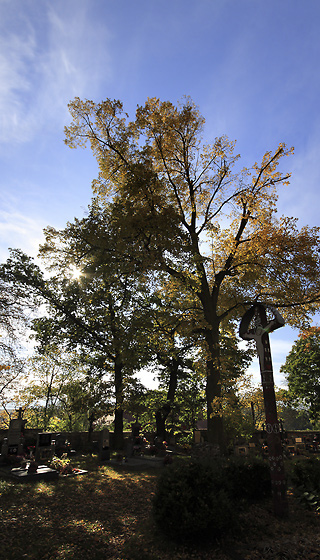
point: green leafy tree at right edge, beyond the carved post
(302, 371)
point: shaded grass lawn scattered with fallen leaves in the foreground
(106, 514)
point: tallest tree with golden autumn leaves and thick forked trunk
(208, 226)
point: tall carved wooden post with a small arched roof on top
(260, 333)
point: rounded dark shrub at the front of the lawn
(191, 503)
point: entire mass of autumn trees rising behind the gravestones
(175, 246)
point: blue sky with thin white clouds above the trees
(252, 66)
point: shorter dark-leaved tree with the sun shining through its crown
(95, 312)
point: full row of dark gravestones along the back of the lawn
(28, 454)
